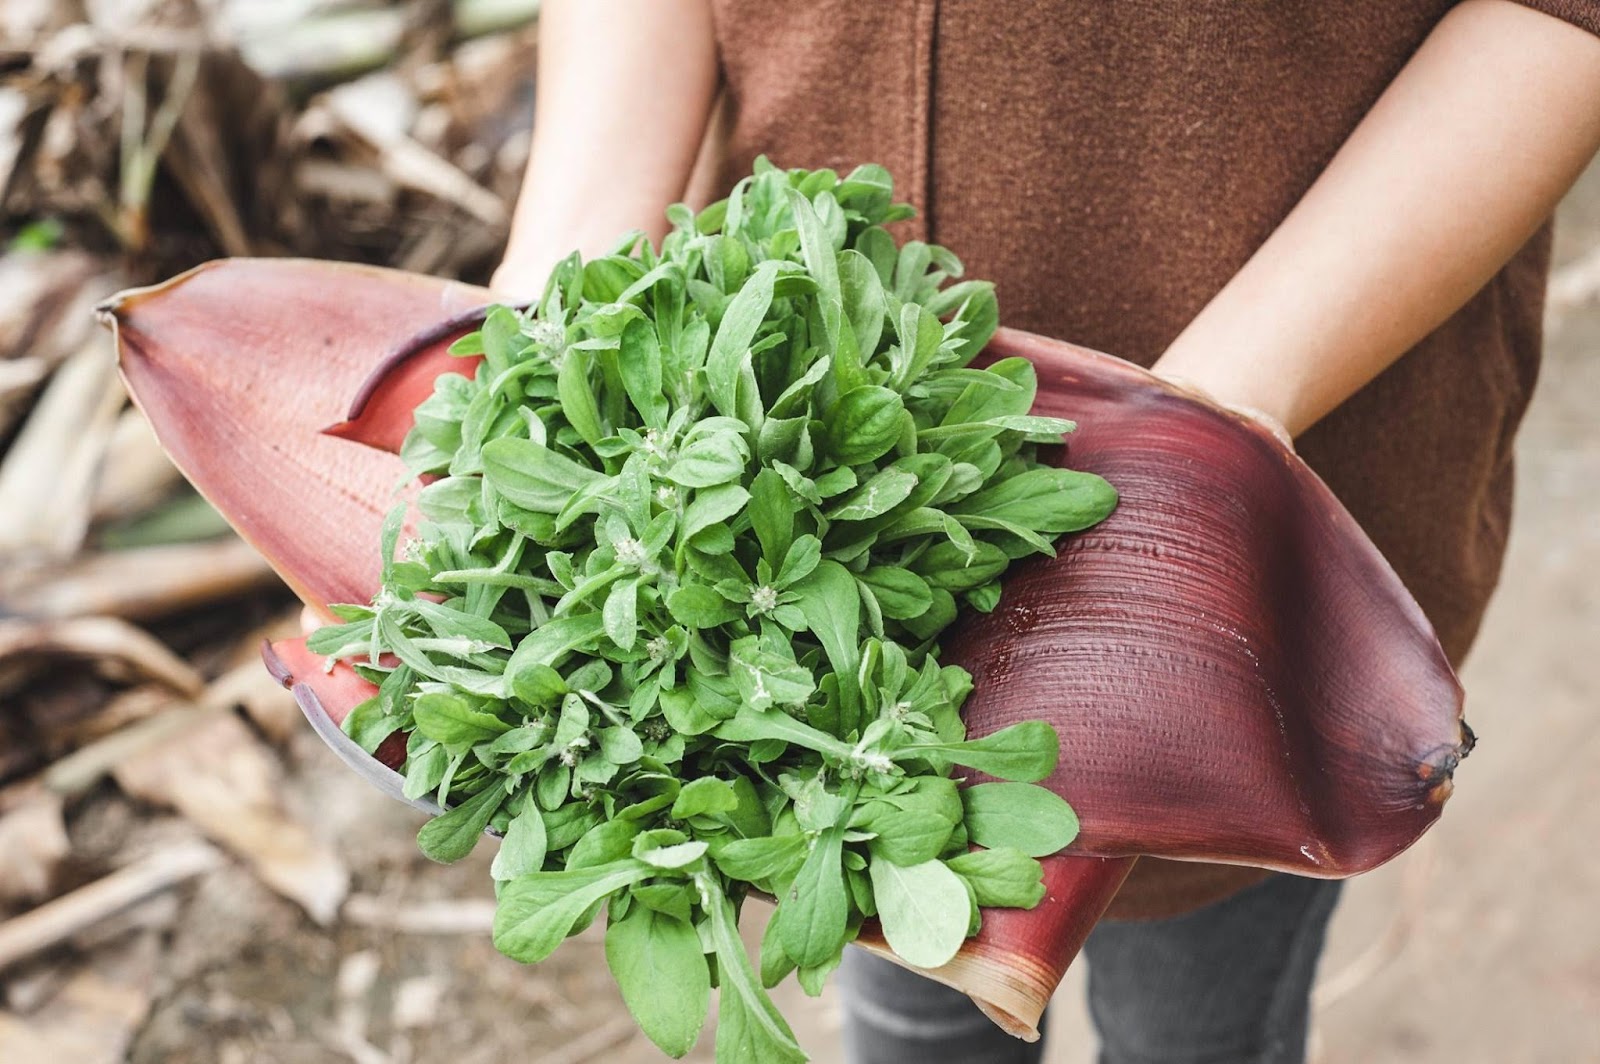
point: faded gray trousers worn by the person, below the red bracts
(1226, 985)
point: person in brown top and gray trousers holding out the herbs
(1330, 214)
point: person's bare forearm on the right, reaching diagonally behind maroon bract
(1454, 170)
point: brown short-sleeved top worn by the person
(1111, 166)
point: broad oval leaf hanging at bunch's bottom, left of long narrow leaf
(663, 975)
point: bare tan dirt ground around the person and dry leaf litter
(1482, 945)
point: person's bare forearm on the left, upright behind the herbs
(625, 89)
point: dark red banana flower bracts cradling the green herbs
(1236, 673)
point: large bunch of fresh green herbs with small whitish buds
(670, 618)
